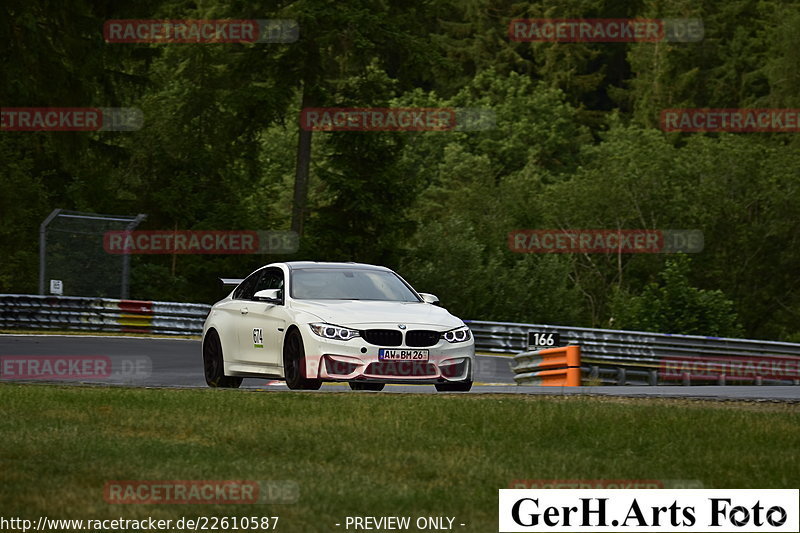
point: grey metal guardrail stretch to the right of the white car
(618, 357)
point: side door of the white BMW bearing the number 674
(264, 323)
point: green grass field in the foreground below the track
(369, 454)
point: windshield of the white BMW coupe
(349, 284)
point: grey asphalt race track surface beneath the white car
(165, 362)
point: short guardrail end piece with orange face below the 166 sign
(554, 367)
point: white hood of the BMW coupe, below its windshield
(361, 314)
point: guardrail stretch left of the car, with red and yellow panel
(20, 311)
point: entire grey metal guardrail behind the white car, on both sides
(607, 356)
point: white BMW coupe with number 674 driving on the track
(308, 322)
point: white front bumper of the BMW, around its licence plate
(357, 360)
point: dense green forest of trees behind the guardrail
(576, 142)
